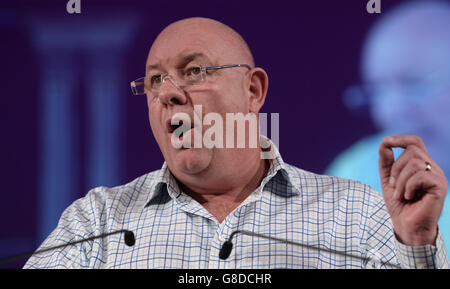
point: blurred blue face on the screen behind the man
(408, 75)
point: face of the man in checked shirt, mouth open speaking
(222, 91)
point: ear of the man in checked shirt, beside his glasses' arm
(258, 86)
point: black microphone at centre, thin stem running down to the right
(227, 247)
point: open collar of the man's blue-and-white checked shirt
(164, 181)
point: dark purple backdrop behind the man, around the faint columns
(310, 49)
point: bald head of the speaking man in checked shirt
(201, 42)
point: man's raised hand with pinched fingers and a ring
(414, 189)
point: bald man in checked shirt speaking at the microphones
(182, 214)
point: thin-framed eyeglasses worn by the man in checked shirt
(188, 76)
